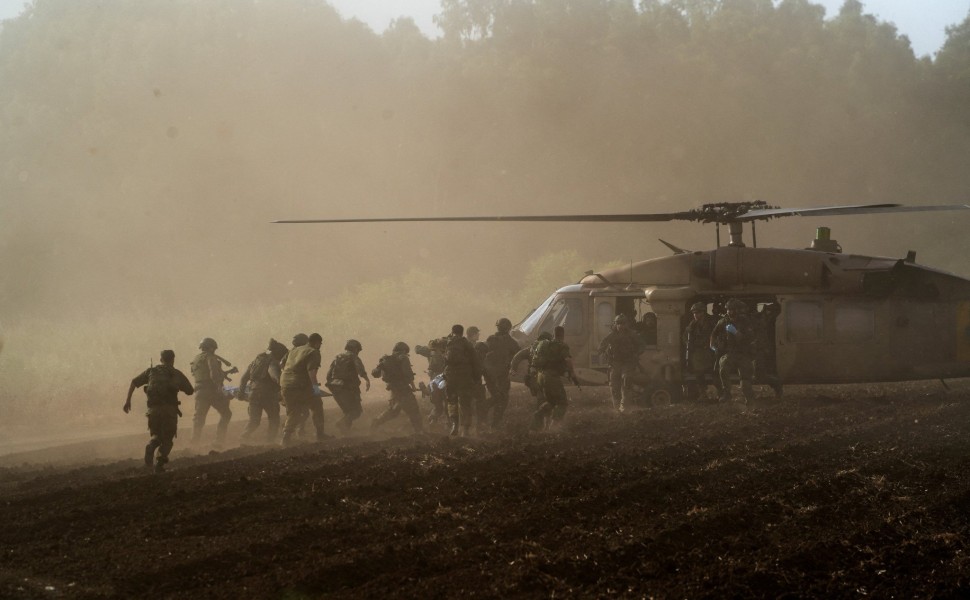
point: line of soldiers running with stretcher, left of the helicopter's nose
(461, 367)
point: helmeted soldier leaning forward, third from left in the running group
(264, 376)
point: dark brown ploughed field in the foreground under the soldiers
(848, 491)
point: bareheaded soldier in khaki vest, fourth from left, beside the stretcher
(300, 387)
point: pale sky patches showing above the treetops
(922, 20)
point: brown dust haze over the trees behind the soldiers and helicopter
(146, 147)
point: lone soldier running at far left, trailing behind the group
(162, 384)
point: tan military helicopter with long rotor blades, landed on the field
(835, 318)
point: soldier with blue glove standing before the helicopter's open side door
(732, 340)
